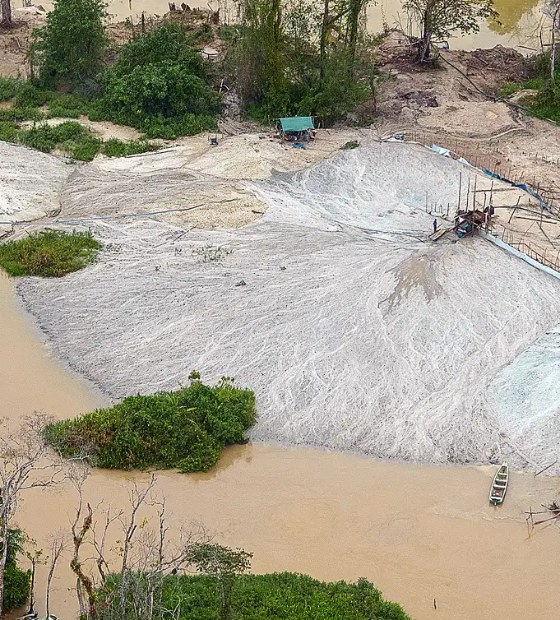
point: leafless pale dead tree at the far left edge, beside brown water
(25, 463)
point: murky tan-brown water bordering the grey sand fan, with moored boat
(417, 532)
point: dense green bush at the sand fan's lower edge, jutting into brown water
(186, 429)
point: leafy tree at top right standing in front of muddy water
(438, 19)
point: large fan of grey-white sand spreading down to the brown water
(355, 332)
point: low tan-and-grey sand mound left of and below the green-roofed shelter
(160, 184)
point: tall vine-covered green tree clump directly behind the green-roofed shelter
(301, 58)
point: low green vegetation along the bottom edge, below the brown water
(256, 597)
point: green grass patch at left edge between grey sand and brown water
(49, 253)
